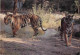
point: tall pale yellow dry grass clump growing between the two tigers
(48, 17)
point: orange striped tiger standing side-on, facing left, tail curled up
(20, 21)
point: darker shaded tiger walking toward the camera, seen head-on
(67, 28)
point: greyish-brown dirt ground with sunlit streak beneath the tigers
(47, 43)
